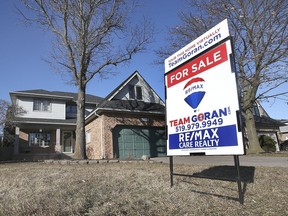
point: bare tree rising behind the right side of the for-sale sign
(259, 30)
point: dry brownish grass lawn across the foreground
(138, 189)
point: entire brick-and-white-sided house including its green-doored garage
(128, 123)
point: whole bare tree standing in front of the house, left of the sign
(91, 36)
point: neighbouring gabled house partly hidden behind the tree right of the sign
(266, 125)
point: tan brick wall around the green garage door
(109, 122)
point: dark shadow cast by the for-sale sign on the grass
(226, 173)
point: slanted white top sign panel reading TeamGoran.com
(202, 43)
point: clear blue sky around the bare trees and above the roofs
(24, 48)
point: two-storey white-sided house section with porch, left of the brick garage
(48, 123)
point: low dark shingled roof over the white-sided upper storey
(57, 95)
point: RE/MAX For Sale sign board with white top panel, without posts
(201, 97)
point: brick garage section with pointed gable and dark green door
(128, 124)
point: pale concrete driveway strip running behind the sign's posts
(256, 161)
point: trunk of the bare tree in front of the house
(80, 145)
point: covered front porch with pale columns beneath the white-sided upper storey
(35, 143)
